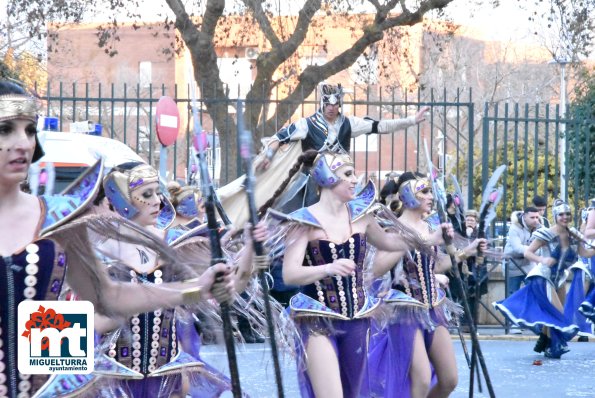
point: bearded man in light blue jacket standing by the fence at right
(522, 225)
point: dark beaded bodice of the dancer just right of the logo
(151, 340)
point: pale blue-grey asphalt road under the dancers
(509, 362)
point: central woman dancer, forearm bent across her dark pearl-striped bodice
(325, 250)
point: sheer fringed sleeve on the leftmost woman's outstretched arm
(88, 275)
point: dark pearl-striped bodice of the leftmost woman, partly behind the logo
(35, 273)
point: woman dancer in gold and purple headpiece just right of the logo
(162, 346)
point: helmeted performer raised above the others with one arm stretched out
(327, 129)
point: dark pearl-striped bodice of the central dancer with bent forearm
(343, 295)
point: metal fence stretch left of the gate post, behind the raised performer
(126, 113)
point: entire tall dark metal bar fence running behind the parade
(525, 137)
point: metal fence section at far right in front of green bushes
(530, 140)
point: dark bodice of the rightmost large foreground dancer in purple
(420, 282)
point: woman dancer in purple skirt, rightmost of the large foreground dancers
(410, 339)
